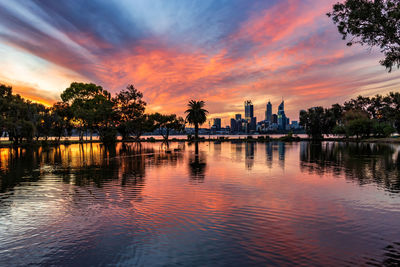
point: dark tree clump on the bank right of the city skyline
(377, 116)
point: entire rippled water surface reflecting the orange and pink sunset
(231, 204)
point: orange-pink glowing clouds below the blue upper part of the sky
(288, 50)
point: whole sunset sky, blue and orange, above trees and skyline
(223, 52)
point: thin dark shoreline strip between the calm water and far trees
(285, 139)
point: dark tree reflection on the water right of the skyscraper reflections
(363, 162)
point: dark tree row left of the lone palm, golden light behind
(87, 108)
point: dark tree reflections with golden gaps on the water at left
(83, 164)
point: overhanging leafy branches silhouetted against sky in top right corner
(374, 23)
